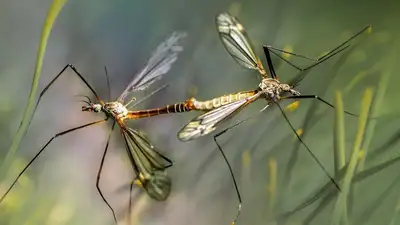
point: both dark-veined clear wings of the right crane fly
(236, 41)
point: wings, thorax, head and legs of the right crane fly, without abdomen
(236, 41)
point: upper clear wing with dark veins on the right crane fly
(236, 41)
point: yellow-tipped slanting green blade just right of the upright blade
(341, 202)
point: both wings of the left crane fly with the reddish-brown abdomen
(147, 162)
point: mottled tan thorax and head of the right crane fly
(273, 89)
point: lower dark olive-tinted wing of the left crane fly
(149, 164)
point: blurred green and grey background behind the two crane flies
(60, 187)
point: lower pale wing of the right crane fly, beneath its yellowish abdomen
(208, 122)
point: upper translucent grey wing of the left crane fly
(159, 64)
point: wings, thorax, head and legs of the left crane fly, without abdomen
(147, 162)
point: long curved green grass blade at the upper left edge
(52, 14)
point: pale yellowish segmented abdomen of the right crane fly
(220, 101)
